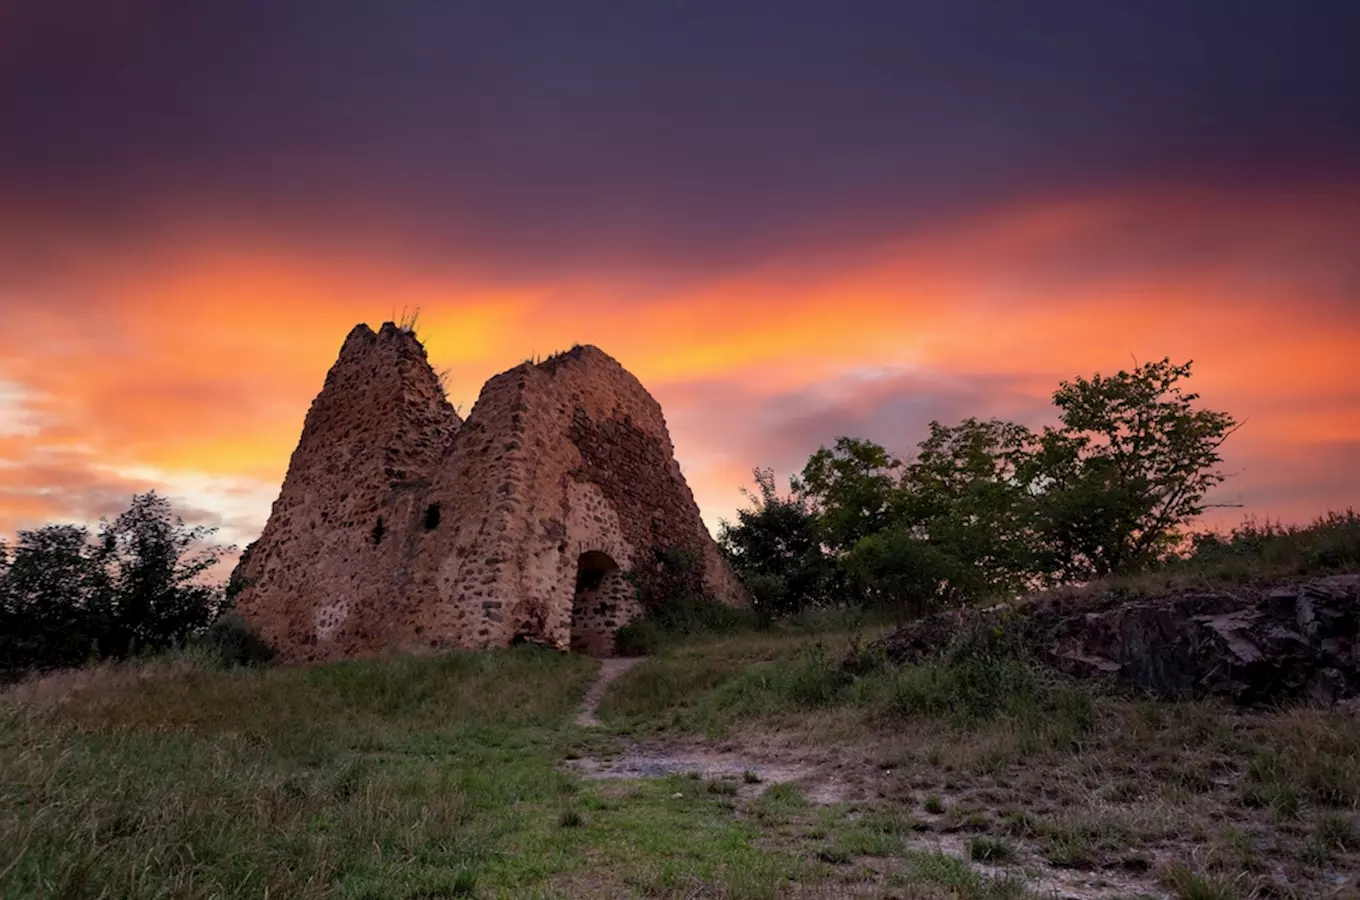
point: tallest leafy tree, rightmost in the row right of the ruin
(1128, 468)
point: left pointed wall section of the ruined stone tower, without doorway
(324, 580)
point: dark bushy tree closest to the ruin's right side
(776, 547)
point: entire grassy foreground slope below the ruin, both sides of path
(448, 777)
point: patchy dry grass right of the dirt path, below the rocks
(1026, 766)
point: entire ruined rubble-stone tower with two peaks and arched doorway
(403, 528)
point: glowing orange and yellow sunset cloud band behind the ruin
(191, 366)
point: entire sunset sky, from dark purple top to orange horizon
(792, 221)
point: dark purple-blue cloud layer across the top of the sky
(549, 135)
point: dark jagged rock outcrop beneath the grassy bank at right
(1248, 645)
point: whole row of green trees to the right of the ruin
(989, 509)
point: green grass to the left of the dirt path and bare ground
(409, 778)
